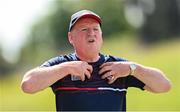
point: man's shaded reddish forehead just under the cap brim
(86, 21)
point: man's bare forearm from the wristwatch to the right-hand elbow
(154, 79)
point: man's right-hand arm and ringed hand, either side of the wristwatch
(154, 79)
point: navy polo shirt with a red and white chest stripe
(93, 94)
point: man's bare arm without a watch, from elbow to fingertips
(40, 78)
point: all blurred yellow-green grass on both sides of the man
(165, 55)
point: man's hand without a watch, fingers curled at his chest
(79, 68)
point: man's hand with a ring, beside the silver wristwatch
(114, 70)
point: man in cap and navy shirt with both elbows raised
(88, 80)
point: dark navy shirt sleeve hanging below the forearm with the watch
(132, 81)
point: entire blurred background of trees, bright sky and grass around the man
(33, 31)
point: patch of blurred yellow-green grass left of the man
(12, 98)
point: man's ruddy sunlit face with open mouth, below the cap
(86, 36)
